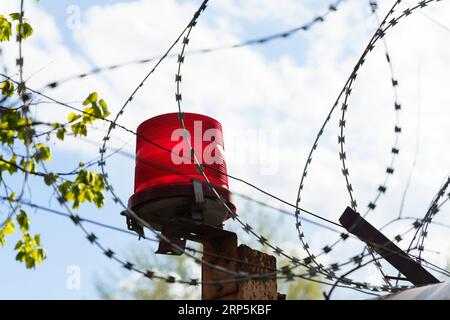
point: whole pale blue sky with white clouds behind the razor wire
(271, 101)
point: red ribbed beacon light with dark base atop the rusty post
(169, 192)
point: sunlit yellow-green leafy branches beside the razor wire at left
(17, 133)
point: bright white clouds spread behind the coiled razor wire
(248, 88)
